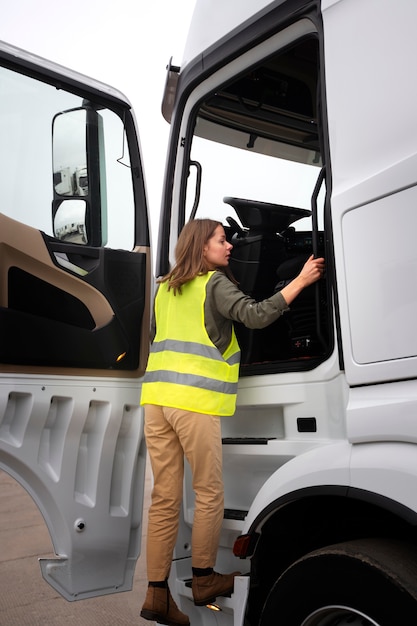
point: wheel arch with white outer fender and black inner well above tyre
(331, 495)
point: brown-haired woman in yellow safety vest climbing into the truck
(190, 383)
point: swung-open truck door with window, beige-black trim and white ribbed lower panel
(74, 317)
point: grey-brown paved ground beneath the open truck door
(26, 599)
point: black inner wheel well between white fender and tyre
(313, 518)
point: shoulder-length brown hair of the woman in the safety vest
(189, 258)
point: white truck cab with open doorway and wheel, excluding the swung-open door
(284, 130)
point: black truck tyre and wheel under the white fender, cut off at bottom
(359, 583)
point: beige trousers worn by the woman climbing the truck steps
(172, 434)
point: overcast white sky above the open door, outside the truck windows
(125, 43)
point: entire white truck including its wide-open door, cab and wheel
(293, 122)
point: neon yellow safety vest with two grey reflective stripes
(185, 369)
